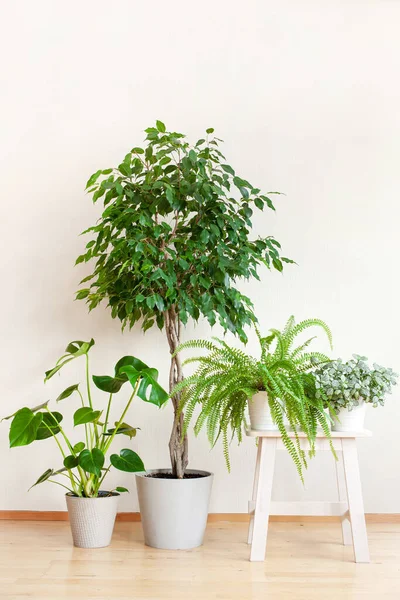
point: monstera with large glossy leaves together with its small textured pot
(91, 510)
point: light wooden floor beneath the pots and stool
(304, 561)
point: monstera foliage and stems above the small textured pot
(84, 461)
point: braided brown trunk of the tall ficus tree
(178, 445)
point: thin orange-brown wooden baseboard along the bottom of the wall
(134, 517)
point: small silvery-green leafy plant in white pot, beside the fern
(347, 387)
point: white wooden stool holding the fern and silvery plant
(350, 506)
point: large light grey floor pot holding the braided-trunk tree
(174, 511)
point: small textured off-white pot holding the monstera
(92, 520)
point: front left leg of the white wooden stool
(263, 499)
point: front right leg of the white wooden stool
(355, 500)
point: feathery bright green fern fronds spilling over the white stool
(226, 379)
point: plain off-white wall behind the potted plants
(306, 95)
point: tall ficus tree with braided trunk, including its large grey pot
(172, 242)
